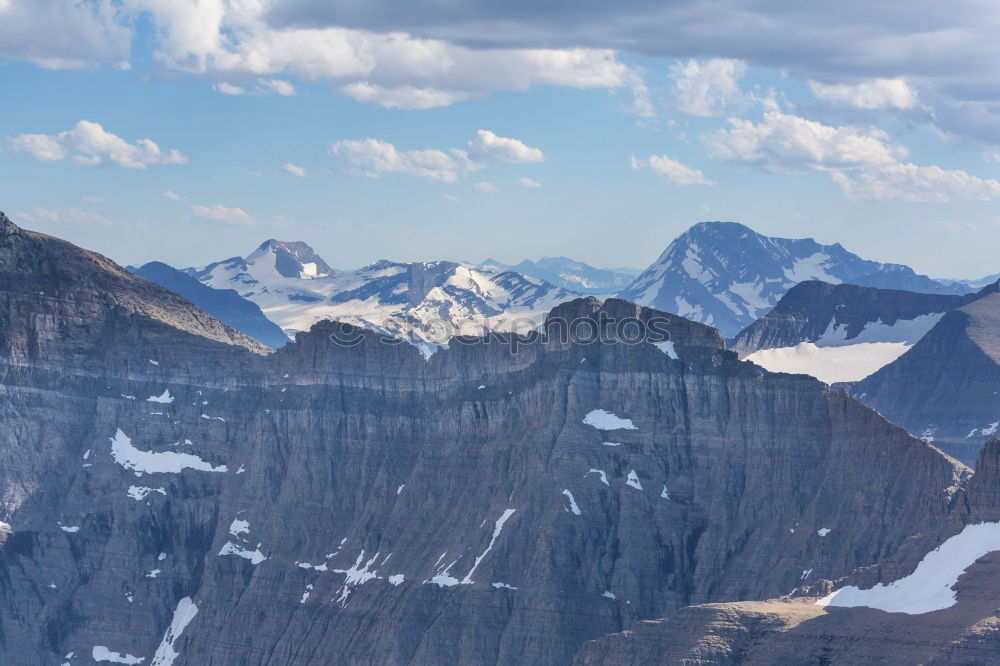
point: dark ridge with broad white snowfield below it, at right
(841, 333)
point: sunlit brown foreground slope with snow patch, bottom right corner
(799, 630)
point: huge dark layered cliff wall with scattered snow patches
(167, 490)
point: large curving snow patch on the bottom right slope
(931, 586)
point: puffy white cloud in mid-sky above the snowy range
(374, 158)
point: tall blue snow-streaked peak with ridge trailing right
(726, 275)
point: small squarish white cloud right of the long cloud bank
(707, 87)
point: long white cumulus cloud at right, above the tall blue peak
(864, 163)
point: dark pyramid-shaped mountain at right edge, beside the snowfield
(945, 389)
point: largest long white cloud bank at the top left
(229, 40)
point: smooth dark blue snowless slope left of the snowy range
(224, 304)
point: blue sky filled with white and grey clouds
(192, 130)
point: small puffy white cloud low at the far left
(88, 144)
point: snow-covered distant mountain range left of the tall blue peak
(422, 302)
